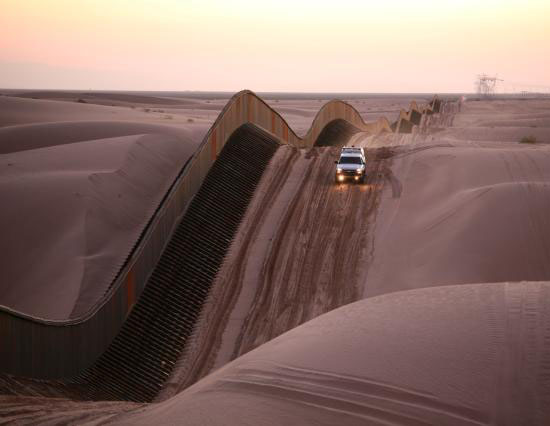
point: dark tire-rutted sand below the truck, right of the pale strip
(319, 253)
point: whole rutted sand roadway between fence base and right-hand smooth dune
(298, 254)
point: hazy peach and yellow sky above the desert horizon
(283, 45)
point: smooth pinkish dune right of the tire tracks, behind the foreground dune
(470, 209)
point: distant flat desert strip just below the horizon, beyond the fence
(50, 106)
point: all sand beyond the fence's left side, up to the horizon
(95, 165)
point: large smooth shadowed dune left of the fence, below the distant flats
(74, 210)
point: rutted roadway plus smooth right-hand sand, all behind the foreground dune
(435, 200)
